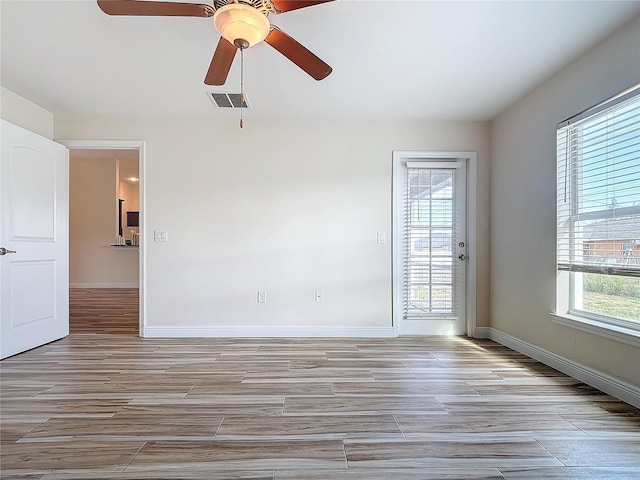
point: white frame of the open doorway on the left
(141, 147)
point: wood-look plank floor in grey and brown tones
(103, 403)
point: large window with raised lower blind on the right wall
(598, 231)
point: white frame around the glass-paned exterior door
(470, 158)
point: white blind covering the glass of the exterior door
(430, 233)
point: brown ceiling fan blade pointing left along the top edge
(160, 9)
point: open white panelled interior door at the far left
(34, 240)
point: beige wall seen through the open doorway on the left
(93, 217)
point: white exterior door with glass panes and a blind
(430, 246)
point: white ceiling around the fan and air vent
(442, 60)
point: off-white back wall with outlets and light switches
(289, 207)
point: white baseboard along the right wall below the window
(613, 386)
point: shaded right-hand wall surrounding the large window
(523, 205)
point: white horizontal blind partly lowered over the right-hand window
(598, 155)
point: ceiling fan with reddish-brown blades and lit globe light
(241, 24)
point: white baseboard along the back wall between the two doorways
(271, 331)
